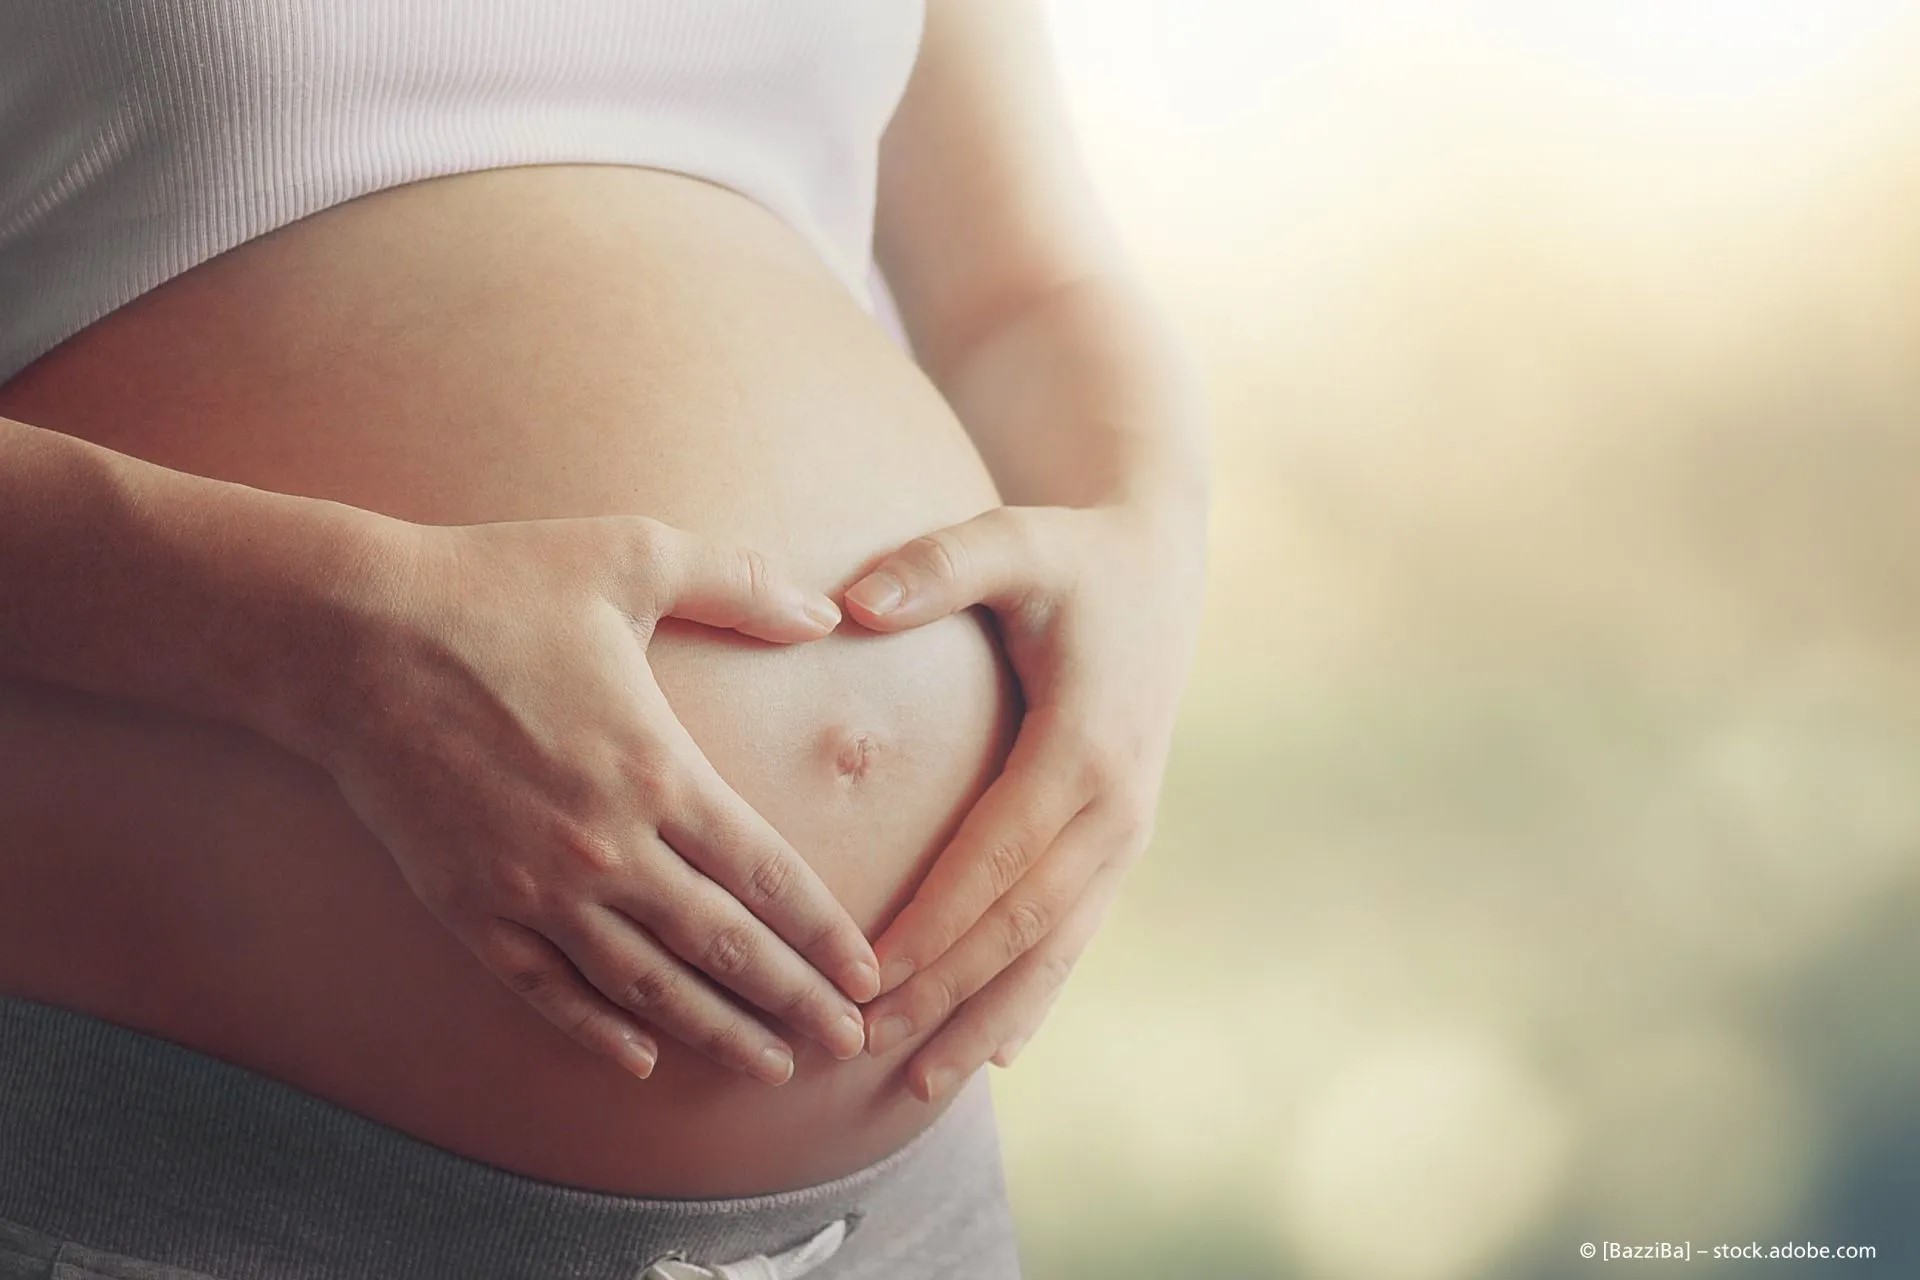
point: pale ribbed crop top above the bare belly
(145, 137)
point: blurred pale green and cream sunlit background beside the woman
(1541, 853)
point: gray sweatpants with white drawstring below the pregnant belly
(133, 1158)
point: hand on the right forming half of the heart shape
(1099, 607)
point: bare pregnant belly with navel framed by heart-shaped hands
(502, 346)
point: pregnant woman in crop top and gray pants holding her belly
(537, 738)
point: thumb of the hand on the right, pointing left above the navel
(980, 561)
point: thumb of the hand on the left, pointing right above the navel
(723, 584)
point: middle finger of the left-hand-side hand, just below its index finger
(711, 932)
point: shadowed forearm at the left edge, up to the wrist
(141, 582)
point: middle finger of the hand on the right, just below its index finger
(1013, 928)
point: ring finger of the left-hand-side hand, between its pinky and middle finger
(636, 974)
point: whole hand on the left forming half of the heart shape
(502, 734)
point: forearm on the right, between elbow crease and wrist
(1082, 398)
